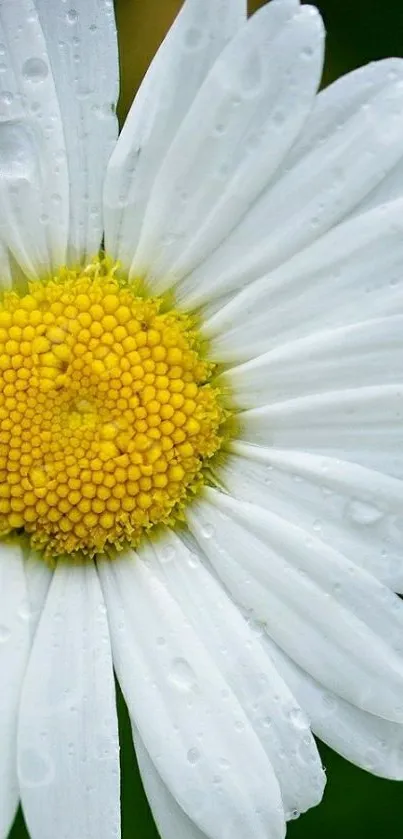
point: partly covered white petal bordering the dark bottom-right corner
(370, 742)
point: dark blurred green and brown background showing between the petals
(356, 805)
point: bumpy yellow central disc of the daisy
(107, 415)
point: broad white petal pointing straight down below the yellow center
(68, 754)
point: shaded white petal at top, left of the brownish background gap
(82, 46)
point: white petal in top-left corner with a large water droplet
(34, 189)
